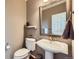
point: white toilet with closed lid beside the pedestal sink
(24, 53)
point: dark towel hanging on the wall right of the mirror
(68, 32)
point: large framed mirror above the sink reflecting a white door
(53, 18)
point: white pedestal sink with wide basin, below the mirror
(52, 47)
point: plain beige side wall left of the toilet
(15, 12)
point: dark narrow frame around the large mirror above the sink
(40, 21)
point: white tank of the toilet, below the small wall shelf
(30, 43)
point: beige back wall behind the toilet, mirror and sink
(33, 19)
